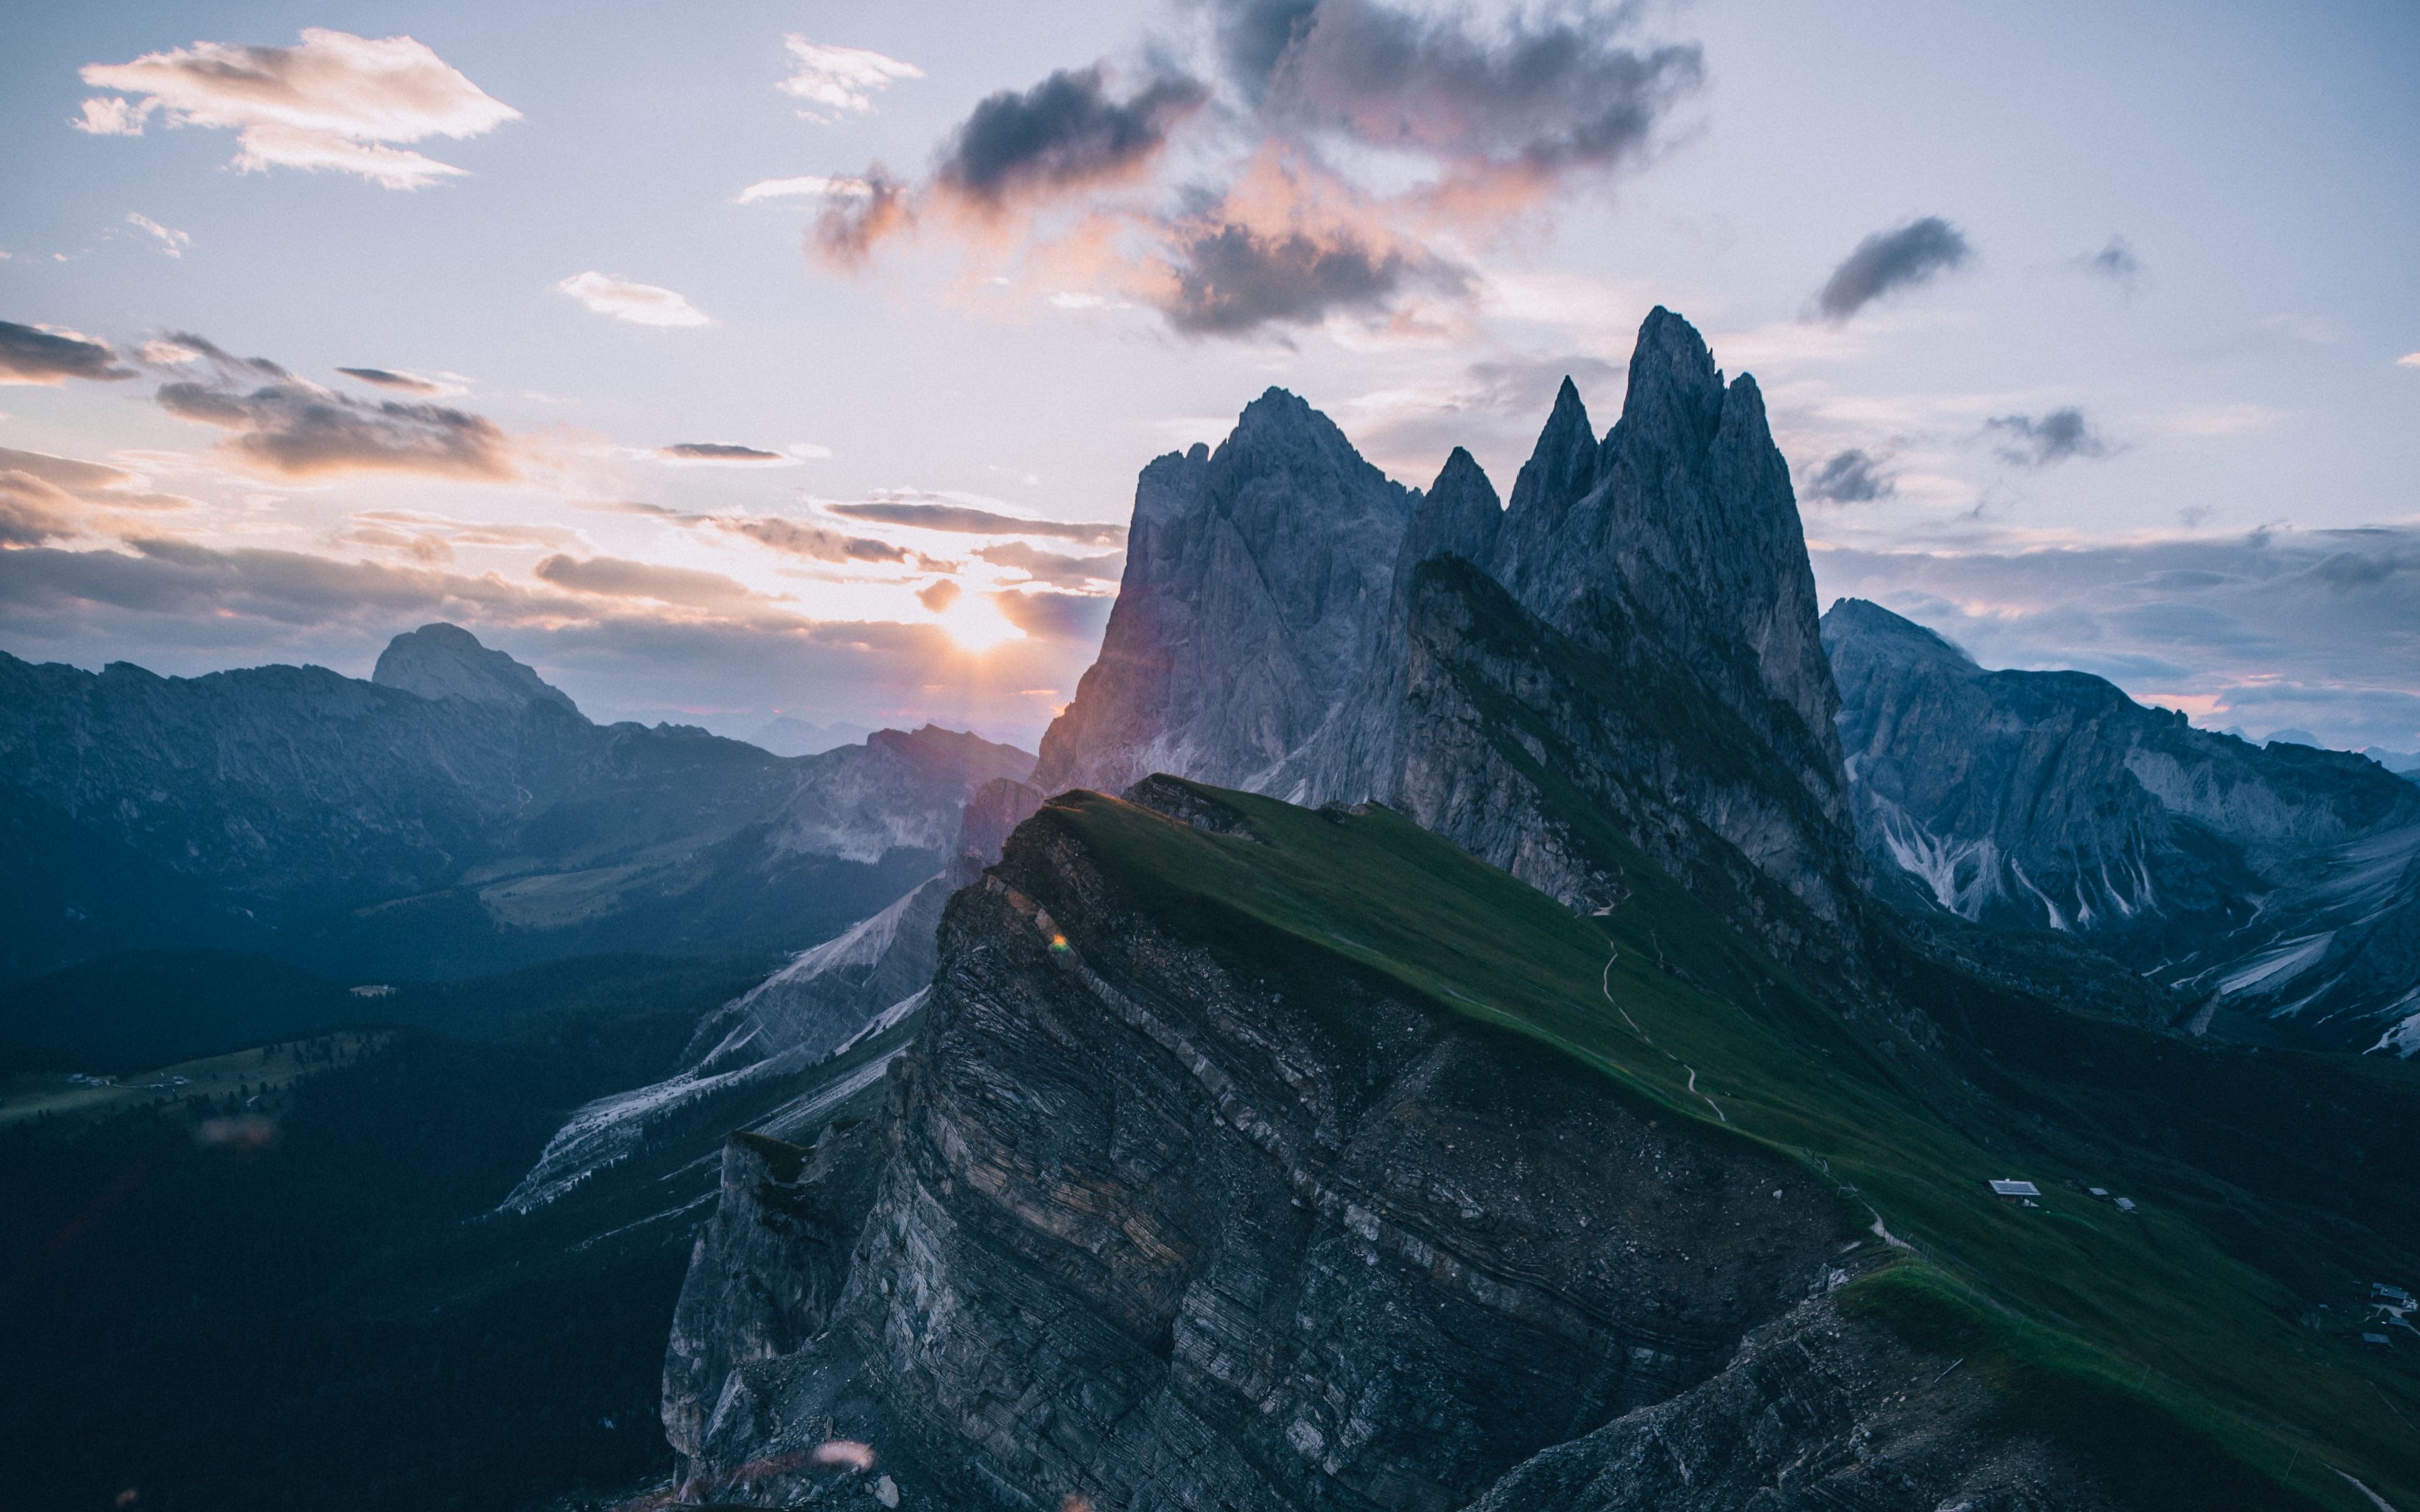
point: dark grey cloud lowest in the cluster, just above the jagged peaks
(1233, 279)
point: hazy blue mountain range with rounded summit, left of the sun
(454, 814)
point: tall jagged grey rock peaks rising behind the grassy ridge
(1625, 657)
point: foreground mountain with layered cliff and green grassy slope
(1274, 1158)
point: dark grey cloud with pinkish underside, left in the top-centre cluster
(1061, 134)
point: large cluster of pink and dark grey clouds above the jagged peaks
(1344, 158)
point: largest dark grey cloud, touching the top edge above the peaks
(1538, 96)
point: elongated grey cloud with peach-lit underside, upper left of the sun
(289, 427)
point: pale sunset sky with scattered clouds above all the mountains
(800, 359)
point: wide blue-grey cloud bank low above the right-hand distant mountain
(2310, 630)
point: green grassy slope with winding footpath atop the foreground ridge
(2145, 1337)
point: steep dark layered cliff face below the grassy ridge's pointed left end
(1163, 1233)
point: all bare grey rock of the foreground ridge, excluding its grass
(1160, 1228)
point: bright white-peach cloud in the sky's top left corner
(330, 103)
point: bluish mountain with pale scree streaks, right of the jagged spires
(2271, 889)
